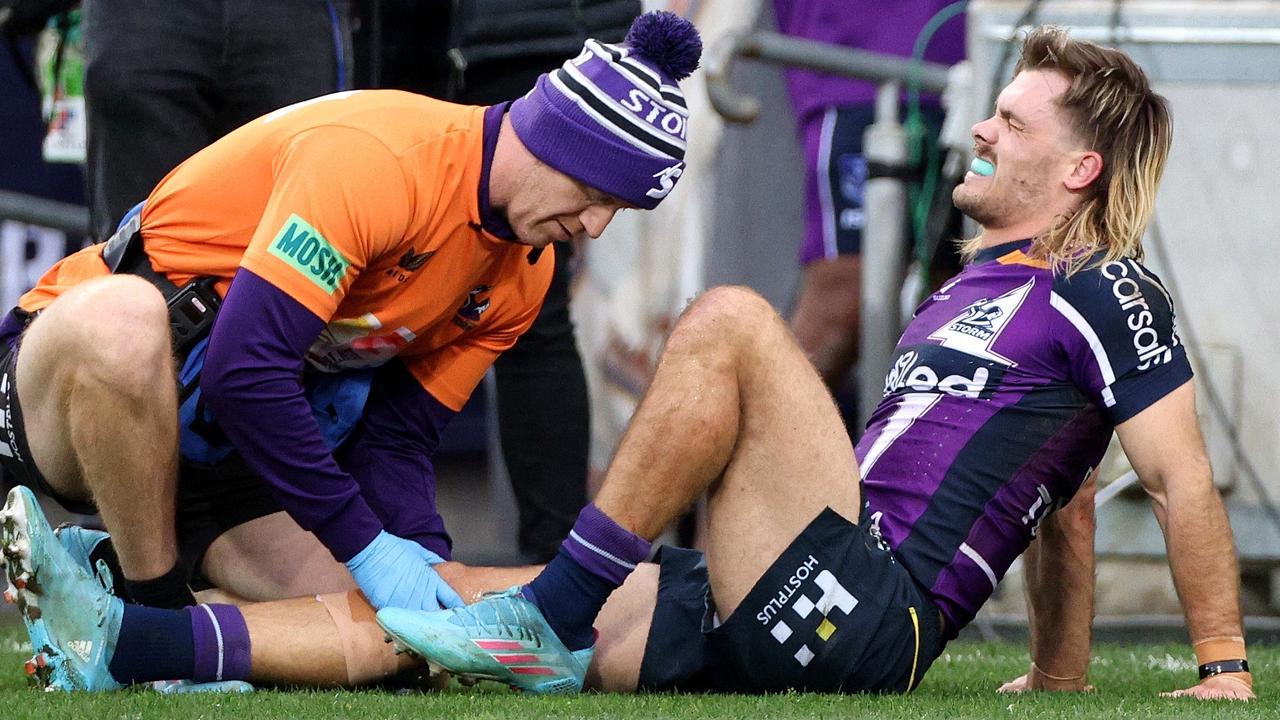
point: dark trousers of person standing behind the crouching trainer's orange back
(166, 79)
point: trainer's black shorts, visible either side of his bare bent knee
(212, 499)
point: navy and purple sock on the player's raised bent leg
(596, 558)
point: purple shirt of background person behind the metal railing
(881, 26)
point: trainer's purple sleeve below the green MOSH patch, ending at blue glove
(253, 384)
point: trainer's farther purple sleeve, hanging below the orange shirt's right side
(391, 457)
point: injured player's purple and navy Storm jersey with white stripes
(1002, 400)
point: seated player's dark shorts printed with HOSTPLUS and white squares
(835, 613)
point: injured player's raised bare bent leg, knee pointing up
(738, 409)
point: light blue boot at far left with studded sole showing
(72, 622)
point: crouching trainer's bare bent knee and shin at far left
(97, 381)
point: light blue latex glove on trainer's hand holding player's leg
(394, 572)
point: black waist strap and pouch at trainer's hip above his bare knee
(193, 308)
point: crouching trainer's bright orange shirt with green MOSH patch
(364, 207)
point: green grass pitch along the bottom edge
(962, 685)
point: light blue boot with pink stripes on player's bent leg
(502, 639)
